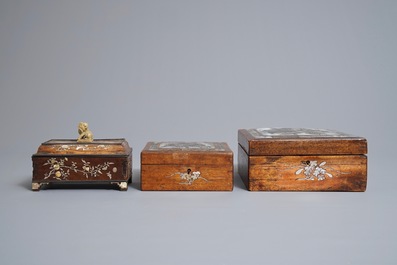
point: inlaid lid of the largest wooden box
(300, 141)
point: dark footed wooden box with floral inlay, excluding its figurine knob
(104, 161)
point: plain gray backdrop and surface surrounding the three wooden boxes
(195, 70)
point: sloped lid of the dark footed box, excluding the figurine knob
(99, 147)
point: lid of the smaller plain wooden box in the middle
(171, 153)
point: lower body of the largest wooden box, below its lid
(287, 173)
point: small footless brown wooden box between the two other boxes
(186, 166)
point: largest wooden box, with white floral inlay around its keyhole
(285, 159)
